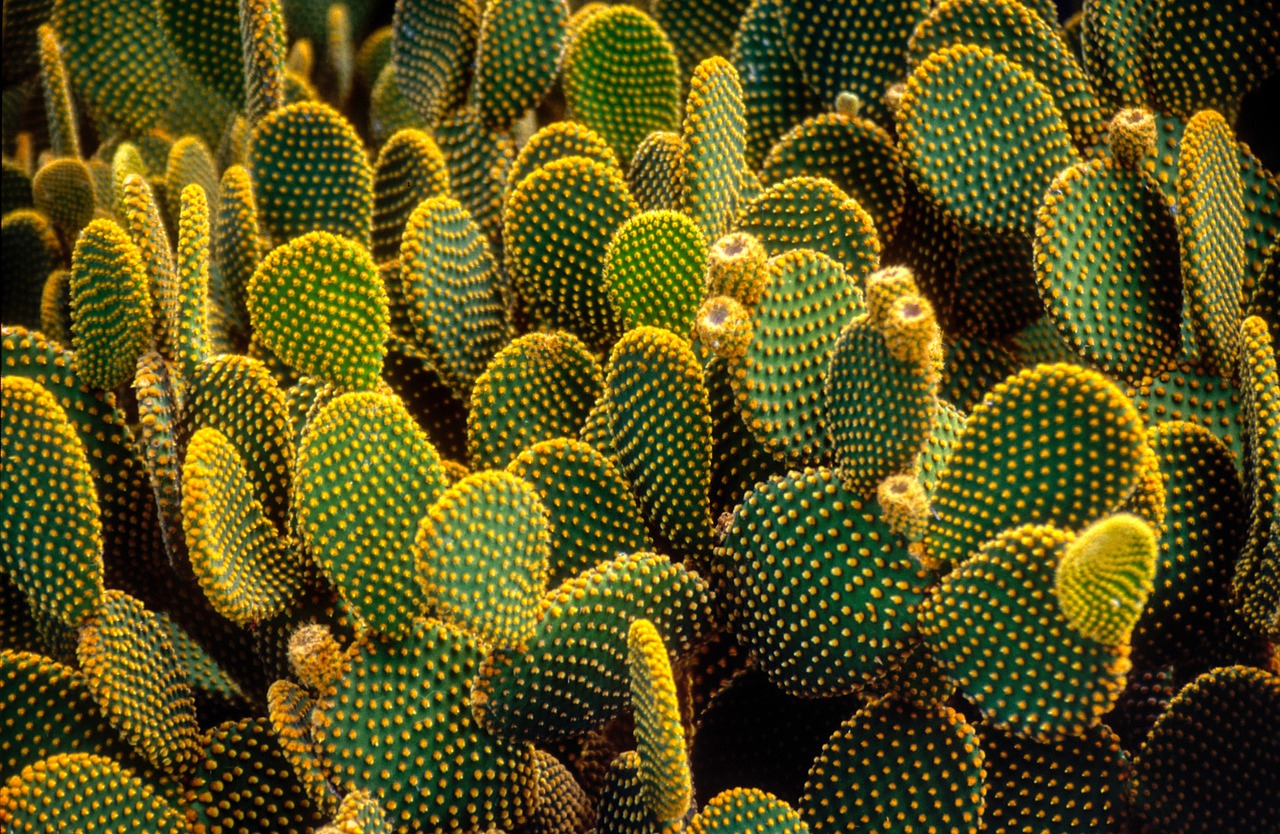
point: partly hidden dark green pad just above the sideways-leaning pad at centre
(589, 505)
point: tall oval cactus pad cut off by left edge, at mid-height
(52, 531)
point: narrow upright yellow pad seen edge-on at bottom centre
(665, 778)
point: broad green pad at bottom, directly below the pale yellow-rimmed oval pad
(399, 723)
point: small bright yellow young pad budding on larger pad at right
(1105, 576)
